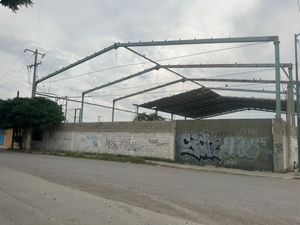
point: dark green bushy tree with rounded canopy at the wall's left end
(25, 114)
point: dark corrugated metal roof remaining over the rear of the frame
(203, 102)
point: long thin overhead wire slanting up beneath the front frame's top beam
(158, 60)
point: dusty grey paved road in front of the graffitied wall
(40, 189)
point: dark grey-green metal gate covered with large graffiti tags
(237, 143)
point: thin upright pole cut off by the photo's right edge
(297, 95)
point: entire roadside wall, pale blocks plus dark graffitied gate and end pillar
(254, 144)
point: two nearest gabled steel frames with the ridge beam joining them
(276, 65)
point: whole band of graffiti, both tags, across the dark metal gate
(206, 146)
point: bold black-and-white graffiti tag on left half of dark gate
(201, 146)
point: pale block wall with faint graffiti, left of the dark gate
(151, 139)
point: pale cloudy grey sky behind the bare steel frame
(67, 31)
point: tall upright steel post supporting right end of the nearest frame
(277, 78)
